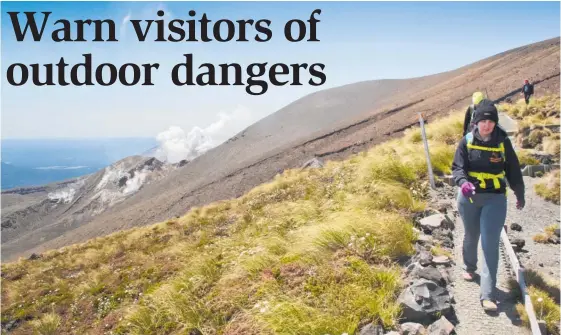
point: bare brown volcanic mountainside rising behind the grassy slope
(330, 124)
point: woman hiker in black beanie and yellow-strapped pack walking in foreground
(483, 163)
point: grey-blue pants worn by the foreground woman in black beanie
(484, 217)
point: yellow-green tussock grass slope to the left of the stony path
(314, 251)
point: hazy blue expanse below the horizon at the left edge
(33, 162)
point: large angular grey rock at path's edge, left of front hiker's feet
(423, 300)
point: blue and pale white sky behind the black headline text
(358, 41)
